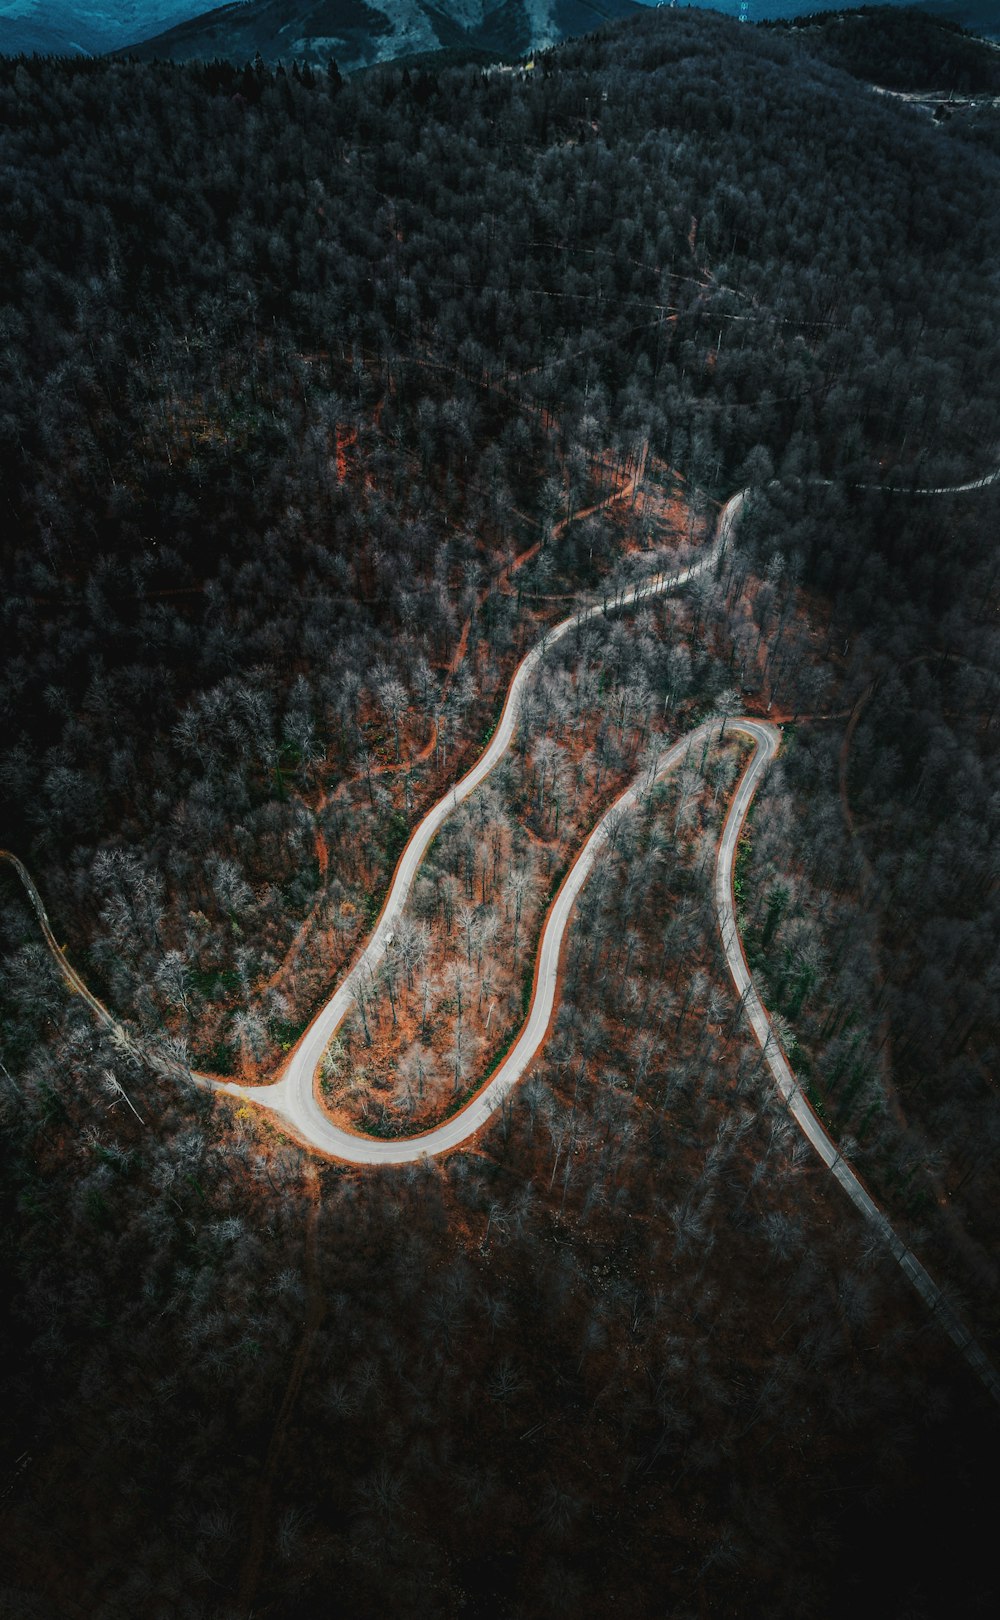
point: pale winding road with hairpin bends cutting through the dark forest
(293, 1098)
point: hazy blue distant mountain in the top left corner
(85, 27)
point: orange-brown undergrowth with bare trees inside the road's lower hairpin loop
(429, 1036)
